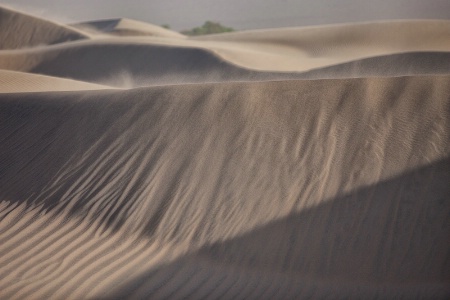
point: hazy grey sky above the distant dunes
(241, 14)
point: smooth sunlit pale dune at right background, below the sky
(302, 49)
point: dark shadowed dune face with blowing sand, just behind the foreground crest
(146, 65)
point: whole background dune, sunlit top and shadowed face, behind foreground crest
(358, 51)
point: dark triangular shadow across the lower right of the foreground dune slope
(394, 233)
